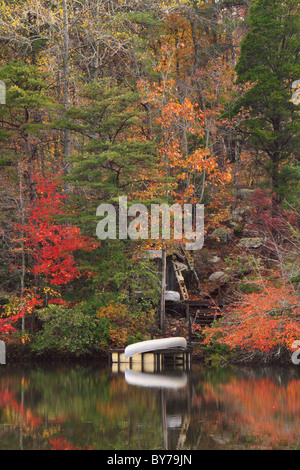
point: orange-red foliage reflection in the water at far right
(259, 410)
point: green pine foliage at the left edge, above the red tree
(25, 117)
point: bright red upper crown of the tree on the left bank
(53, 244)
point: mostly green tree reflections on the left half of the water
(76, 407)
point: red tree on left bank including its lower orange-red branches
(51, 243)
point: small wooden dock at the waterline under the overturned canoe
(152, 361)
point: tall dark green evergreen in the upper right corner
(270, 60)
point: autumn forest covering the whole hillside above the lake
(164, 102)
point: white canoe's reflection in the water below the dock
(154, 380)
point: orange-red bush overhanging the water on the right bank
(262, 321)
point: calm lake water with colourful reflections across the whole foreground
(89, 407)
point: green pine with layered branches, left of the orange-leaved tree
(113, 147)
